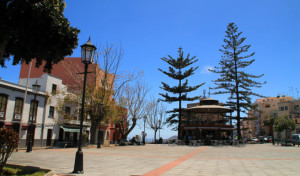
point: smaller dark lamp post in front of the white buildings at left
(35, 88)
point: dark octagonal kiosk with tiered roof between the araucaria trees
(206, 121)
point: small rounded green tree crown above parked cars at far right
(284, 123)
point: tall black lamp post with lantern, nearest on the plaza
(87, 52)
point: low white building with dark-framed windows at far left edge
(12, 112)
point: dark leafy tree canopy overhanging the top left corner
(35, 29)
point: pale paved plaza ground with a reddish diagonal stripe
(165, 160)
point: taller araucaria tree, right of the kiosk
(233, 78)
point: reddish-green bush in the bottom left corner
(9, 140)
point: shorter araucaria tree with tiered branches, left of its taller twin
(179, 71)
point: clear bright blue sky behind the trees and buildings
(149, 30)
